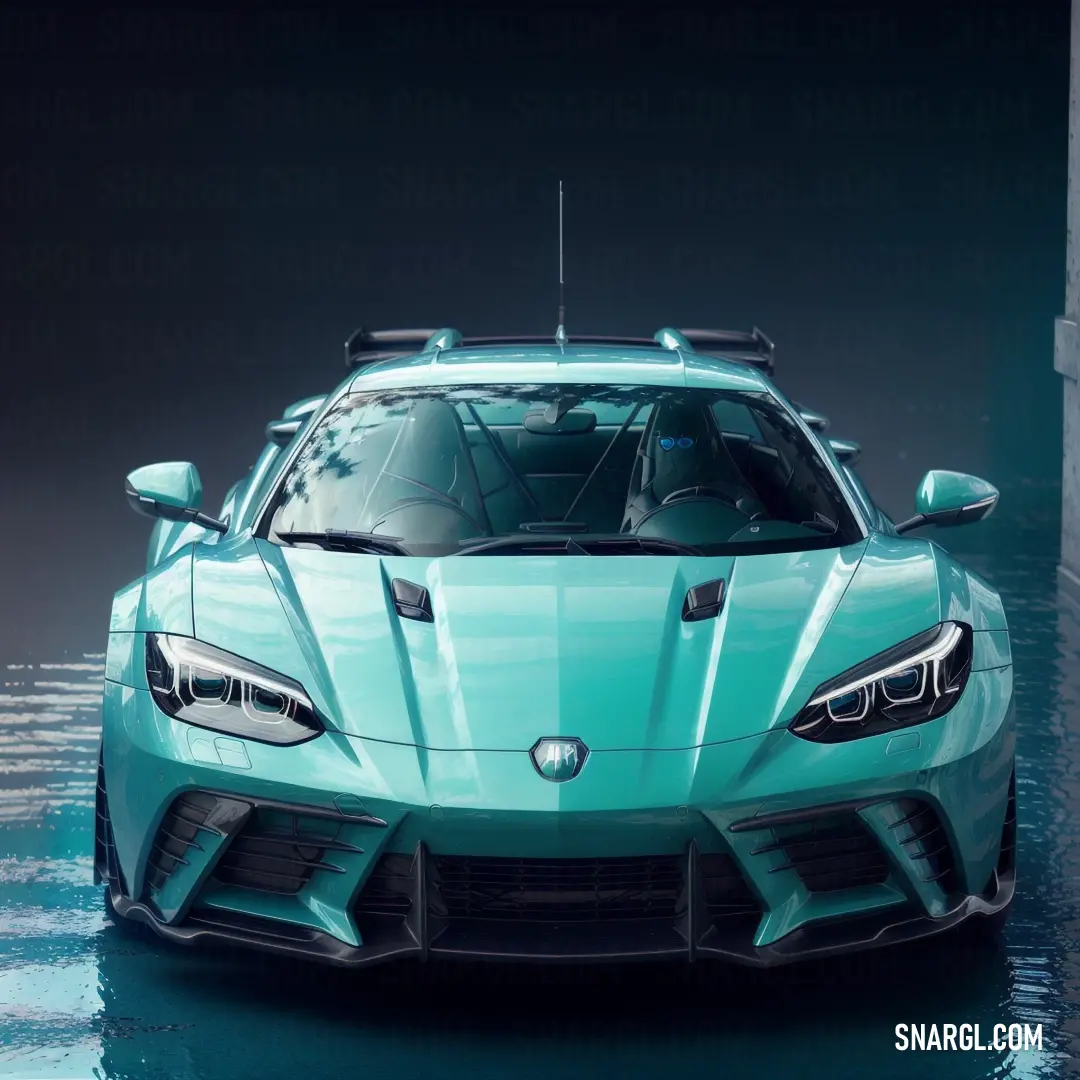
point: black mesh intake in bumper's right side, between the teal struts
(833, 854)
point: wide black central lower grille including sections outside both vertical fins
(569, 909)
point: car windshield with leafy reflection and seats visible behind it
(559, 468)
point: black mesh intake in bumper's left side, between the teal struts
(278, 853)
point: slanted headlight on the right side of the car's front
(912, 683)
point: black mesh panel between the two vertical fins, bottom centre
(560, 890)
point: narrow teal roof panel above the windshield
(620, 366)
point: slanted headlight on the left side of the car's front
(210, 688)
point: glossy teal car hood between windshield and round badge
(523, 649)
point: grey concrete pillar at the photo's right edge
(1068, 342)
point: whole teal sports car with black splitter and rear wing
(556, 650)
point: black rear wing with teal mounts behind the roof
(367, 347)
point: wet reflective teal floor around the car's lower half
(80, 1000)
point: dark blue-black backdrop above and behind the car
(199, 206)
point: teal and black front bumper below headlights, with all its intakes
(808, 850)
